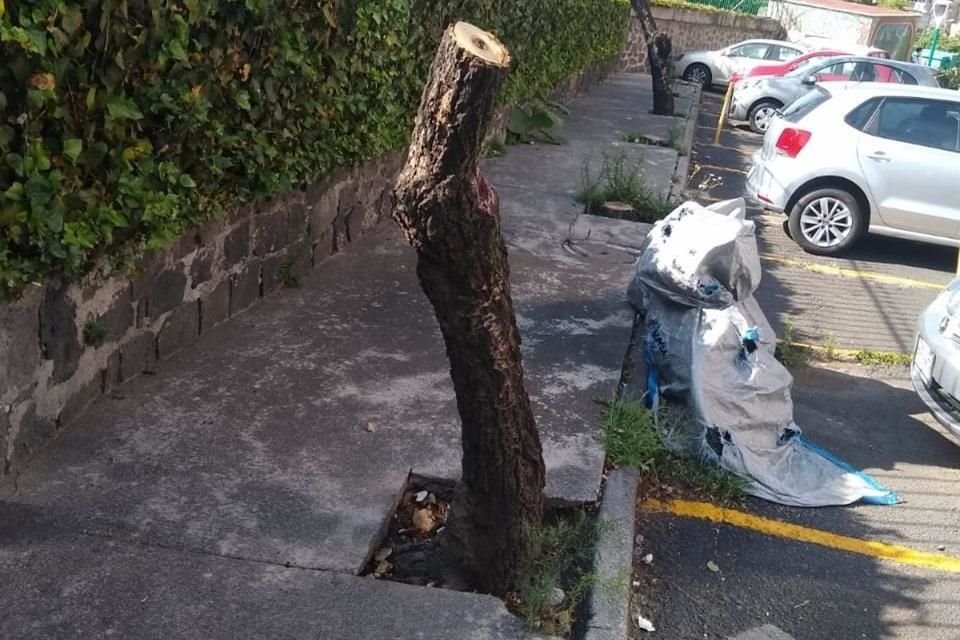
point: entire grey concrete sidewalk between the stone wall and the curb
(239, 491)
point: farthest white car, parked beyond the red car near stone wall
(708, 68)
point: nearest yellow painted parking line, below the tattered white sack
(788, 531)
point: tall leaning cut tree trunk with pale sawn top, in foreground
(450, 215)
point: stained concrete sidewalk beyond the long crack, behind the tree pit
(253, 444)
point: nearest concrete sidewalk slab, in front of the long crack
(87, 587)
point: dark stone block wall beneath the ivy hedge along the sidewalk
(62, 345)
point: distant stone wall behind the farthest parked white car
(692, 30)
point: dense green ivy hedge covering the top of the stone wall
(125, 122)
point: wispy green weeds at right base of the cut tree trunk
(555, 555)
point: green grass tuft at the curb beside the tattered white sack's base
(632, 438)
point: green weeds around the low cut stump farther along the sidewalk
(621, 181)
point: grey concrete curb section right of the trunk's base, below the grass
(609, 609)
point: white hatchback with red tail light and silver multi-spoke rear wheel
(849, 158)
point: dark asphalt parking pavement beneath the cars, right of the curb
(776, 588)
